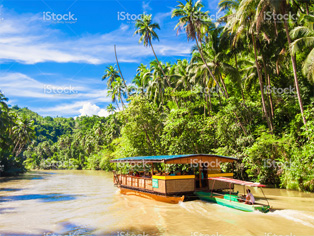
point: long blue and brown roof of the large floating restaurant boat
(177, 159)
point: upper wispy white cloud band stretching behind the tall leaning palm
(27, 39)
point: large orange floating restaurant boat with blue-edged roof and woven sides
(171, 189)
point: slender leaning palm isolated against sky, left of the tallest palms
(146, 29)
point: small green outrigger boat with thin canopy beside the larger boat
(231, 199)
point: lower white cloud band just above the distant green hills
(71, 99)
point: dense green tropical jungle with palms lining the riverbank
(246, 91)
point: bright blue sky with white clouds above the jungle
(54, 66)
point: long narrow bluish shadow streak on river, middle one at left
(52, 197)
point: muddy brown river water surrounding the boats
(87, 203)
